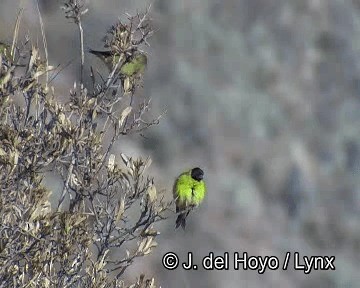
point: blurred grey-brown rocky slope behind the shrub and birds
(265, 96)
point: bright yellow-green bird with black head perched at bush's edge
(189, 191)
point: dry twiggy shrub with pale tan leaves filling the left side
(104, 218)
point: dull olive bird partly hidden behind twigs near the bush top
(128, 70)
